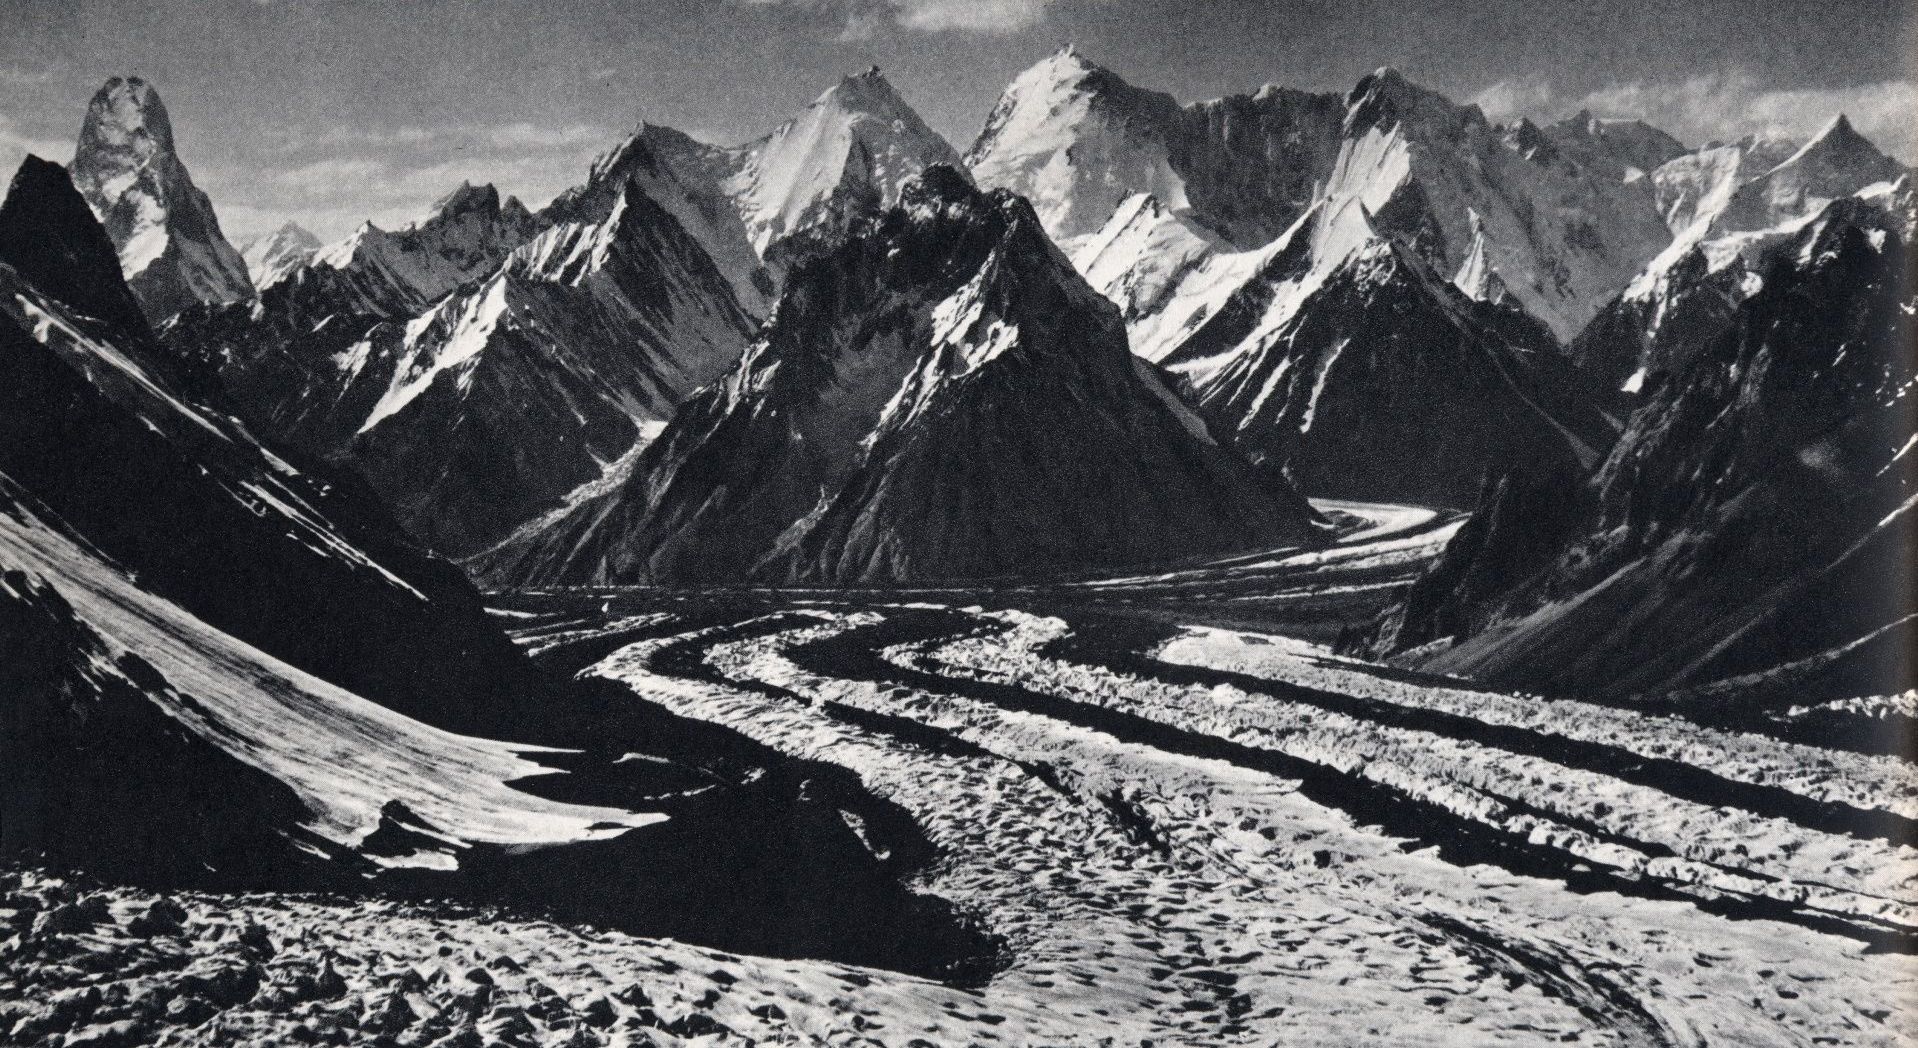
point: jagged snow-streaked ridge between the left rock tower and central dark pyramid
(482, 364)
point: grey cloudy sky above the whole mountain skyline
(331, 112)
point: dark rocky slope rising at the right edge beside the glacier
(1754, 515)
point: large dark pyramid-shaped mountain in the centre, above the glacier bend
(937, 400)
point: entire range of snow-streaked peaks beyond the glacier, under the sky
(1115, 331)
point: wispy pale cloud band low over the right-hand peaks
(1725, 107)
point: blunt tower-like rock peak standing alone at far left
(170, 243)
